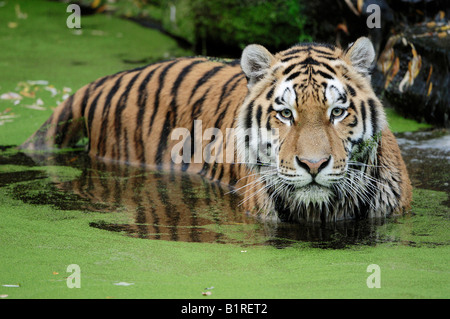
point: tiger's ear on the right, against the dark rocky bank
(362, 55)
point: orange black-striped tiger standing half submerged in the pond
(309, 137)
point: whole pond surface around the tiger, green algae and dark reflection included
(136, 233)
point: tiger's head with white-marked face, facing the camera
(307, 113)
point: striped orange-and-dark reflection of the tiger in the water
(186, 207)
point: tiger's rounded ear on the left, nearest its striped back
(255, 62)
